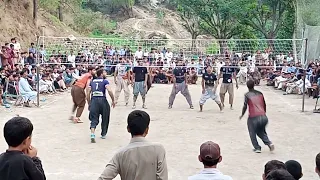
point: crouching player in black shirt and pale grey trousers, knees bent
(209, 88)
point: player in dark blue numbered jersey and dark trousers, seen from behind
(99, 104)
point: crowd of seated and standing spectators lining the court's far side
(60, 69)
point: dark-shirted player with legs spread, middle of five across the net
(180, 85)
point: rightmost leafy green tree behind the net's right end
(266, 16)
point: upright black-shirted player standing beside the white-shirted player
(139, 79)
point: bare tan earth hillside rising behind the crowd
(16, 21)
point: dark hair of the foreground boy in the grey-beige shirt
(138, 122)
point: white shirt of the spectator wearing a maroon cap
(210, 174)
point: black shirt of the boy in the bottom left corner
(14, 165)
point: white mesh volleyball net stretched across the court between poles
(261, 51)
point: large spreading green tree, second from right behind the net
(217, 18)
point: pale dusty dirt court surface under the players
(67, 153)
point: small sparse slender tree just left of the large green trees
(191, 22)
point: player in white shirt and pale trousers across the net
(122, 81)
